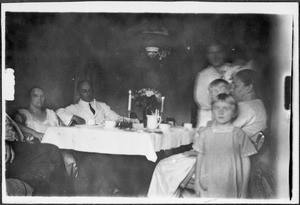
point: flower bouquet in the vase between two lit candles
(149, 100)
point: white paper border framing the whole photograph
(288, 8)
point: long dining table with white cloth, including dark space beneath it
(113, 161)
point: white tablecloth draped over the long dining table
(116, 141)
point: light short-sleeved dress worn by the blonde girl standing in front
(221, 171)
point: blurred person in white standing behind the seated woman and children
(217, 69)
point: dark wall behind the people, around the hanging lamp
(56, 50)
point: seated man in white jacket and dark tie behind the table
(88, 109)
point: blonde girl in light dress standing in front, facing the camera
(223, 164)
